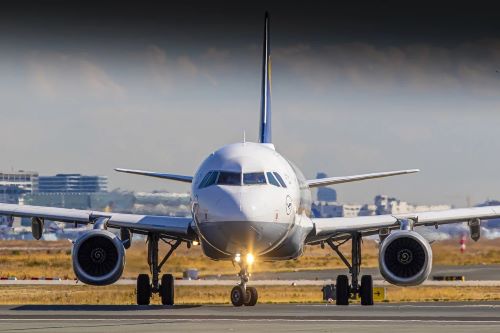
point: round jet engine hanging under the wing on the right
(405, 258)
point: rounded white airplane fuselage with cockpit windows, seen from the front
(246, 208)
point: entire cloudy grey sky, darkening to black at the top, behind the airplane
(356, 88)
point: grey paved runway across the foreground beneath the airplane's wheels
(409, 317)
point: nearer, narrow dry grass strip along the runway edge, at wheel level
(125, 294)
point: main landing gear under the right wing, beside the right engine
(344, 291)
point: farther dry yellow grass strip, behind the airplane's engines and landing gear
(27, 259)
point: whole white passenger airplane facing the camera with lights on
(249, 203)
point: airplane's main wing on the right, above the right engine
(325, 228)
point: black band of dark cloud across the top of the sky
(192, 23)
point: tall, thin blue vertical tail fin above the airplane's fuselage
(265, 103)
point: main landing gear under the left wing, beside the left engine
(145, 287)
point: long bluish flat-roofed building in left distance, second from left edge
(72, 183)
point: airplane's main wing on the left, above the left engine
(176, 227)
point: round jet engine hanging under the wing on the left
(98, 258)
